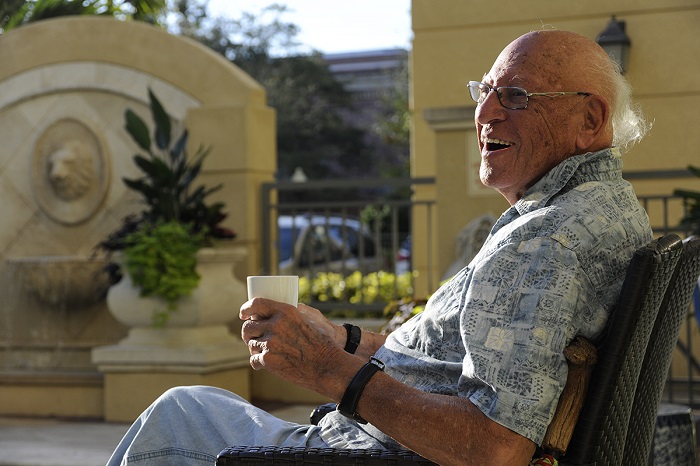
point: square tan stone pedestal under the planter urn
(150, 361)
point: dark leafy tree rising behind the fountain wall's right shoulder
(311, 133)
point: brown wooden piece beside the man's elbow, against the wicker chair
(581, 355)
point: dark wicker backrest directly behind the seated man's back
(600, 433)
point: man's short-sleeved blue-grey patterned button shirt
(551, 269)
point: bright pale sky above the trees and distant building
(334, 26)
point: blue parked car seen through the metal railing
(312, 244)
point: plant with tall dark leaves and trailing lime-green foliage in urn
(161, 246)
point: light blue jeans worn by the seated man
(191, 425)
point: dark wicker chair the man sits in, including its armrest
(600, 433)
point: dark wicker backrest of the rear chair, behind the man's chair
(657, 359)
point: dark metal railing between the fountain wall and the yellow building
(359, 226)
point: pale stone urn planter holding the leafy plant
(215, 301)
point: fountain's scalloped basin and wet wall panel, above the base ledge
(55, 313)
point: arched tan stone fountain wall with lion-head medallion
(64, 86)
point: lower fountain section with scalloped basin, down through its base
(53, 315)
